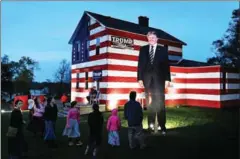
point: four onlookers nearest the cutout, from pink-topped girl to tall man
(133, 113)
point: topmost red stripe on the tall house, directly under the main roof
(140, 37)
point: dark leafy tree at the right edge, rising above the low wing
(227, 49)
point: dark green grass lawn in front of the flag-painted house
(192, 133)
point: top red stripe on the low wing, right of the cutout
(195, 69)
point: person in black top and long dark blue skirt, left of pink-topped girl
(50, 116)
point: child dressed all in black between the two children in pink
(95, 122)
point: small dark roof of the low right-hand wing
(189, 63)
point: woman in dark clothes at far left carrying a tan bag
(16, 144)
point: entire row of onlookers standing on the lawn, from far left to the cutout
(43, 117)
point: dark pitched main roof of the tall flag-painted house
(119, 24)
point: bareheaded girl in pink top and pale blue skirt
(72, 126)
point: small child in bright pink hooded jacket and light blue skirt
(113, 127)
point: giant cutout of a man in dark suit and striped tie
(154, 75)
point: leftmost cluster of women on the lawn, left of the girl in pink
(42, 120)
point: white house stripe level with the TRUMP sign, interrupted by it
(137, 42)
